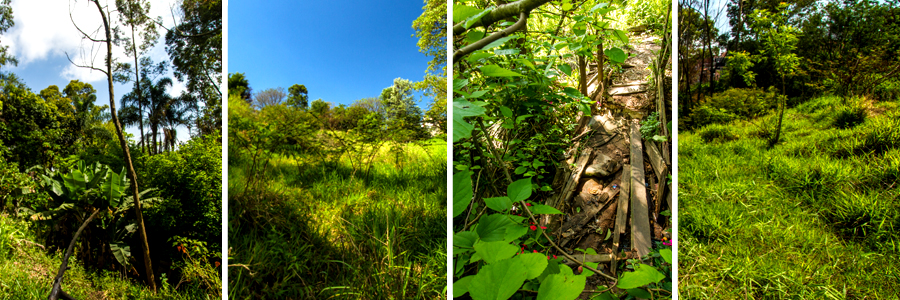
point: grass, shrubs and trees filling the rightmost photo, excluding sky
(800, 178)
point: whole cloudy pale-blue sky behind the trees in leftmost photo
(43, 34)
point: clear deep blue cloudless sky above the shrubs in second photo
(341, 50)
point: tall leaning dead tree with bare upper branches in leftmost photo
(107, 39)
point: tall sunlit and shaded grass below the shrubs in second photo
(319, 230)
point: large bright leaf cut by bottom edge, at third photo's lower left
(498, 281)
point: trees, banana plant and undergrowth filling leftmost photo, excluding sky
(70, 215)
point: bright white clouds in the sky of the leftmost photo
(45, 31)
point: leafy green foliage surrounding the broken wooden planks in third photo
(521, 88)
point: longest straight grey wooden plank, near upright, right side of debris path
(640, 220)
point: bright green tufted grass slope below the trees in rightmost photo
(815, 217)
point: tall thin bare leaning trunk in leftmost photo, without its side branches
(151, 280)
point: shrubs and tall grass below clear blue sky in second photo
(321, 210)
